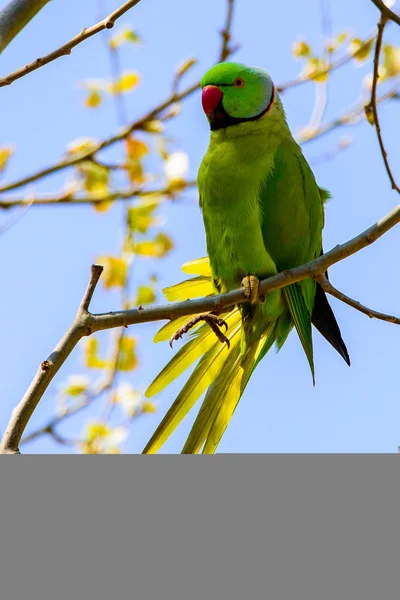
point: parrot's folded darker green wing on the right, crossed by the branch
(292, 222)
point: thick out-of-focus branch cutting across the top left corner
(15, 16)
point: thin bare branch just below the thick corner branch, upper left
(65, 49)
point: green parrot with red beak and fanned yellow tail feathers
(263, 213)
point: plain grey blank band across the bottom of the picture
(209, 528)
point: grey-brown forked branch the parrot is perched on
(87, 323)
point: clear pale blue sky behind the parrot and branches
(47, 255)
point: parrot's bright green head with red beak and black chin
(234, 93)
